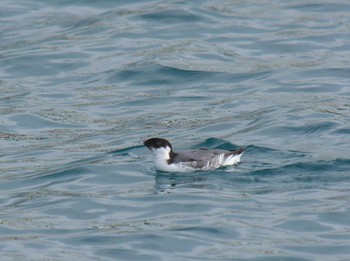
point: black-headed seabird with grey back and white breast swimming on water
(165, 159)
